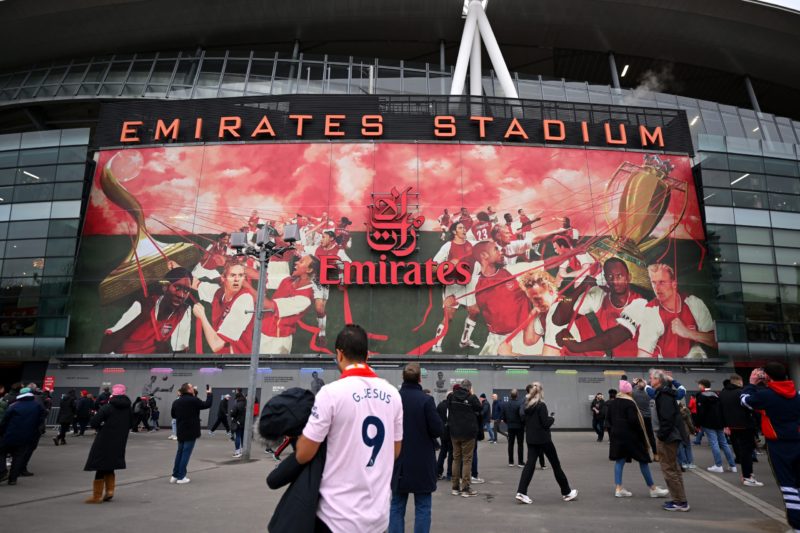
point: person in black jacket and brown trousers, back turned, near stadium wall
(464, 414)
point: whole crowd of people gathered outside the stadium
(363, 440)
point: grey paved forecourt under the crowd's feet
(226, 494)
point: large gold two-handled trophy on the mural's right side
(645, 193)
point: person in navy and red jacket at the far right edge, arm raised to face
(775, 396)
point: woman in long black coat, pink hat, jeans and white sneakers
(627, 434)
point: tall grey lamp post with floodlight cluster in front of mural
(263, 250)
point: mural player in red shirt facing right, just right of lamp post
(286, 307)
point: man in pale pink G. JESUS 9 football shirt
(361, 416)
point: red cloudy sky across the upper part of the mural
(214, 188)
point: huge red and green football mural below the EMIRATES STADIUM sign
(436, 249)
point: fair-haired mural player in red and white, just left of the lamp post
(230, 329)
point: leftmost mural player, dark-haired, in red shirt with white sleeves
(160, 323)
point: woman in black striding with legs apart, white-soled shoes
(537, 434)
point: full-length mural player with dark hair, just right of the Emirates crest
(458, 250)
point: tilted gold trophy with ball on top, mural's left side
(148, 258)
